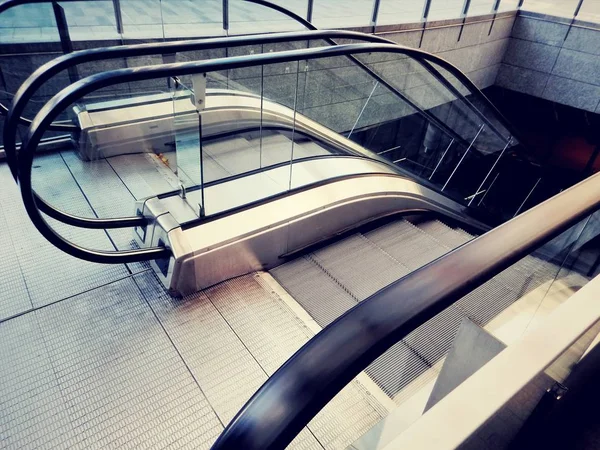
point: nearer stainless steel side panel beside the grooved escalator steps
(257, 238)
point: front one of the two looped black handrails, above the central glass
(77, 90)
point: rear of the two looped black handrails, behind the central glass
(48, 70)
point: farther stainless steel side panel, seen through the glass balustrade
(149, 127)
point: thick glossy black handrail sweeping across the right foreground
(294, 394)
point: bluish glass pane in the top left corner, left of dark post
(28, 23)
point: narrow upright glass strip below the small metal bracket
(188, 145)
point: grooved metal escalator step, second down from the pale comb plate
(359, 265)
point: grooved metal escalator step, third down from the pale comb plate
(407, 243)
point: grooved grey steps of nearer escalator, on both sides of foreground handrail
(330, 280)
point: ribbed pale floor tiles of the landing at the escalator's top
(96, 356)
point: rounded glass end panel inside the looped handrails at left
(120, 156)
